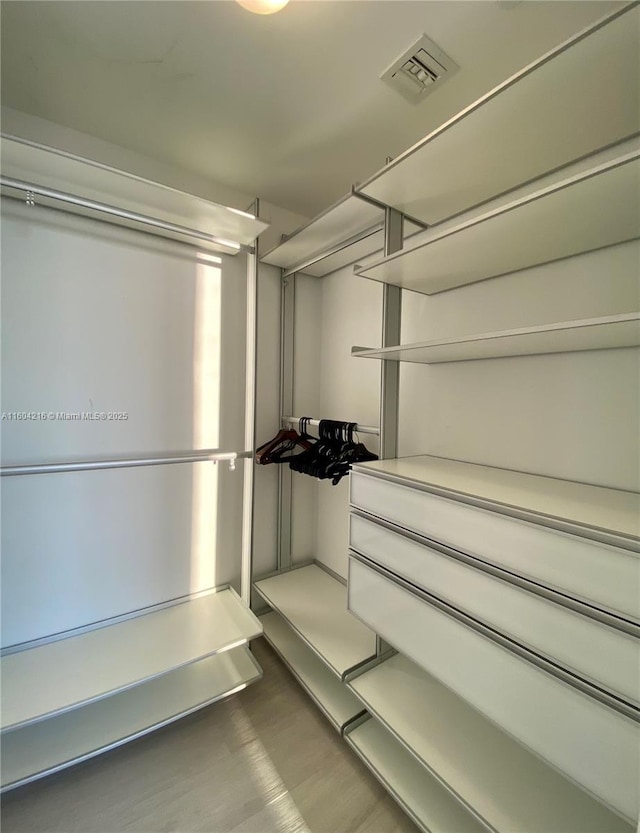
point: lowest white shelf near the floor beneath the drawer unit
(425, 801)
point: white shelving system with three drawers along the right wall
(544, 167)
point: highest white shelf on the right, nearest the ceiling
(507, 138)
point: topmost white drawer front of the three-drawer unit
(603, 575)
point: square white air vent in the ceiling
(419, 70)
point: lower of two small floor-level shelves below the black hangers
(331, 696)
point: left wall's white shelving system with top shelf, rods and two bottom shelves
(71, 694)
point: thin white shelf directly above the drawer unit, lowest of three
(567, 336)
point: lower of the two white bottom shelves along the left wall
(41, 748)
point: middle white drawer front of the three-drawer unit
(593, 650)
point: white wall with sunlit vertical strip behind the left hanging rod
(97, 318)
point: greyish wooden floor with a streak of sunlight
(263, 761)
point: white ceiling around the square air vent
(288, 107)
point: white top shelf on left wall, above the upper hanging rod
(139, 203)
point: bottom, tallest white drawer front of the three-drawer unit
(592, 744)
